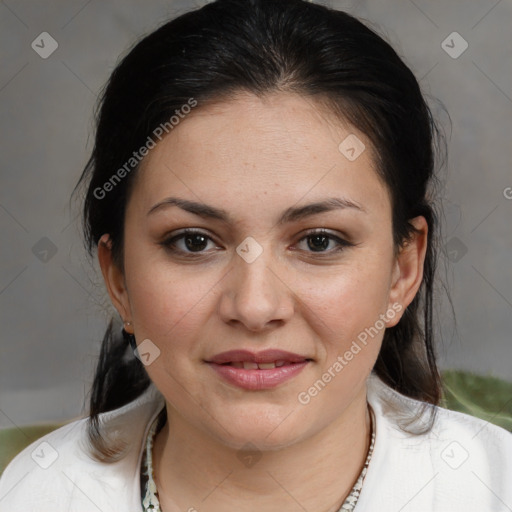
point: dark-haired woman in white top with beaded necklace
(260, 196)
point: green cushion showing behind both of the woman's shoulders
(485, 397)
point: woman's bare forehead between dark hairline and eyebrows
(247, 149)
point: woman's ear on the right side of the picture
(408, 269)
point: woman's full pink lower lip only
(258, 379)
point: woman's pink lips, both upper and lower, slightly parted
(258, 379)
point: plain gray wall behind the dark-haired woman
(53, 307)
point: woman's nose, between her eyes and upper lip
(255, 295)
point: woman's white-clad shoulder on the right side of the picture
(460, 463)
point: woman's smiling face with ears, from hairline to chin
(262, 270)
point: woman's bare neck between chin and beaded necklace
(191, 469)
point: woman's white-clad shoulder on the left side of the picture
(59, 470)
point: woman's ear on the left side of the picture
(114, 279)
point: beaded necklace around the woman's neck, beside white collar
(150, 502)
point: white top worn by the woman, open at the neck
(463, 464)
